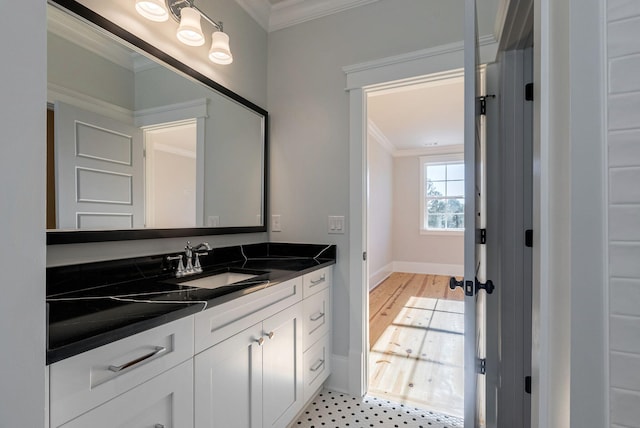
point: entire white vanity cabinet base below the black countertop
(251, 362)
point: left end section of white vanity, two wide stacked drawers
(117, 380)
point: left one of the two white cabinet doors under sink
(228, 382)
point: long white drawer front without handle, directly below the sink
(223, 321)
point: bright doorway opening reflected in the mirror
(170, 173)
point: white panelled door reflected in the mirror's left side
(99, 171)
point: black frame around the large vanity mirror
(80, 236)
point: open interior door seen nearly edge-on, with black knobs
(475, 220)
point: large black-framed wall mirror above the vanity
(142, 146)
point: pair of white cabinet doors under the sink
(253, 379)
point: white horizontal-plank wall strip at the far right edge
(623, 103)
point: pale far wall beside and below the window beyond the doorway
(435, 252)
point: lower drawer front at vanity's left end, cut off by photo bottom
(166, 401)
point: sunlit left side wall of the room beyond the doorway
(380, 211)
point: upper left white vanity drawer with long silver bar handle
(85, 381)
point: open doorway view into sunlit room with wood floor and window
(415, 242)
